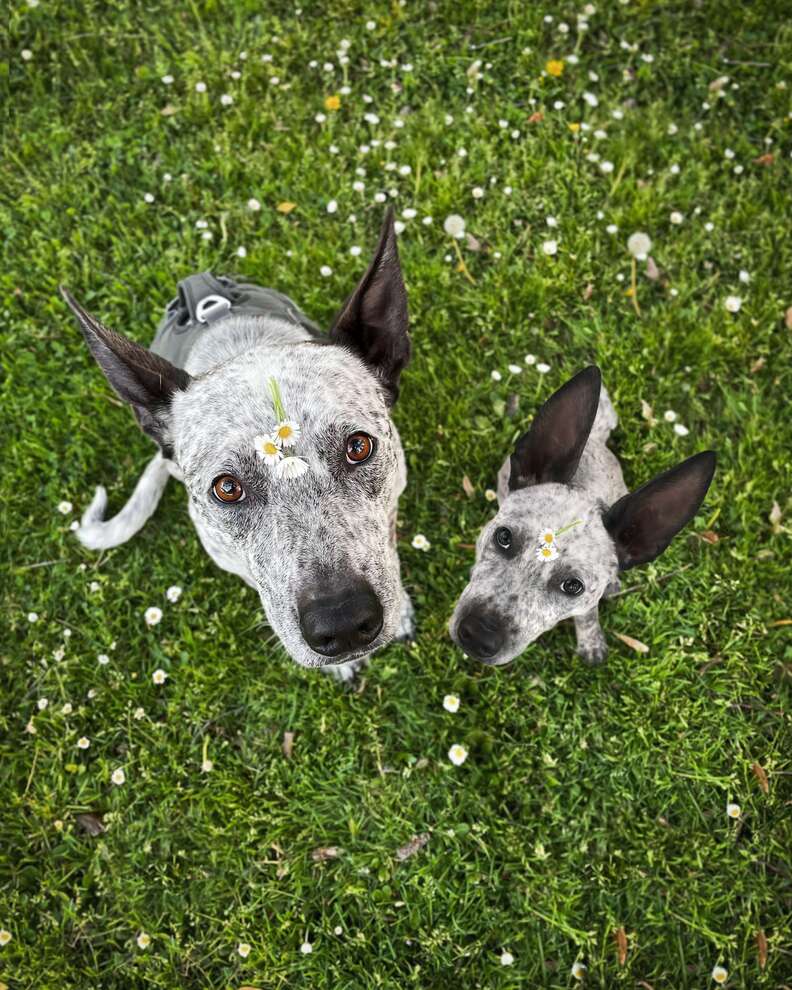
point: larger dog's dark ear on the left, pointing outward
(143, 379)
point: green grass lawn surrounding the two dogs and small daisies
(592, 799)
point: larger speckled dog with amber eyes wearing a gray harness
(320, 549)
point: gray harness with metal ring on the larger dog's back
(204, 299)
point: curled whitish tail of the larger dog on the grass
(96, 533)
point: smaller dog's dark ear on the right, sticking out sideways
(644, 522)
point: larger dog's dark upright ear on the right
(373, 320)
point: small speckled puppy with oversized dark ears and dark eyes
(566, 527)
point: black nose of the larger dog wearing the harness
(341, 621)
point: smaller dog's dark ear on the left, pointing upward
(551, 449)
